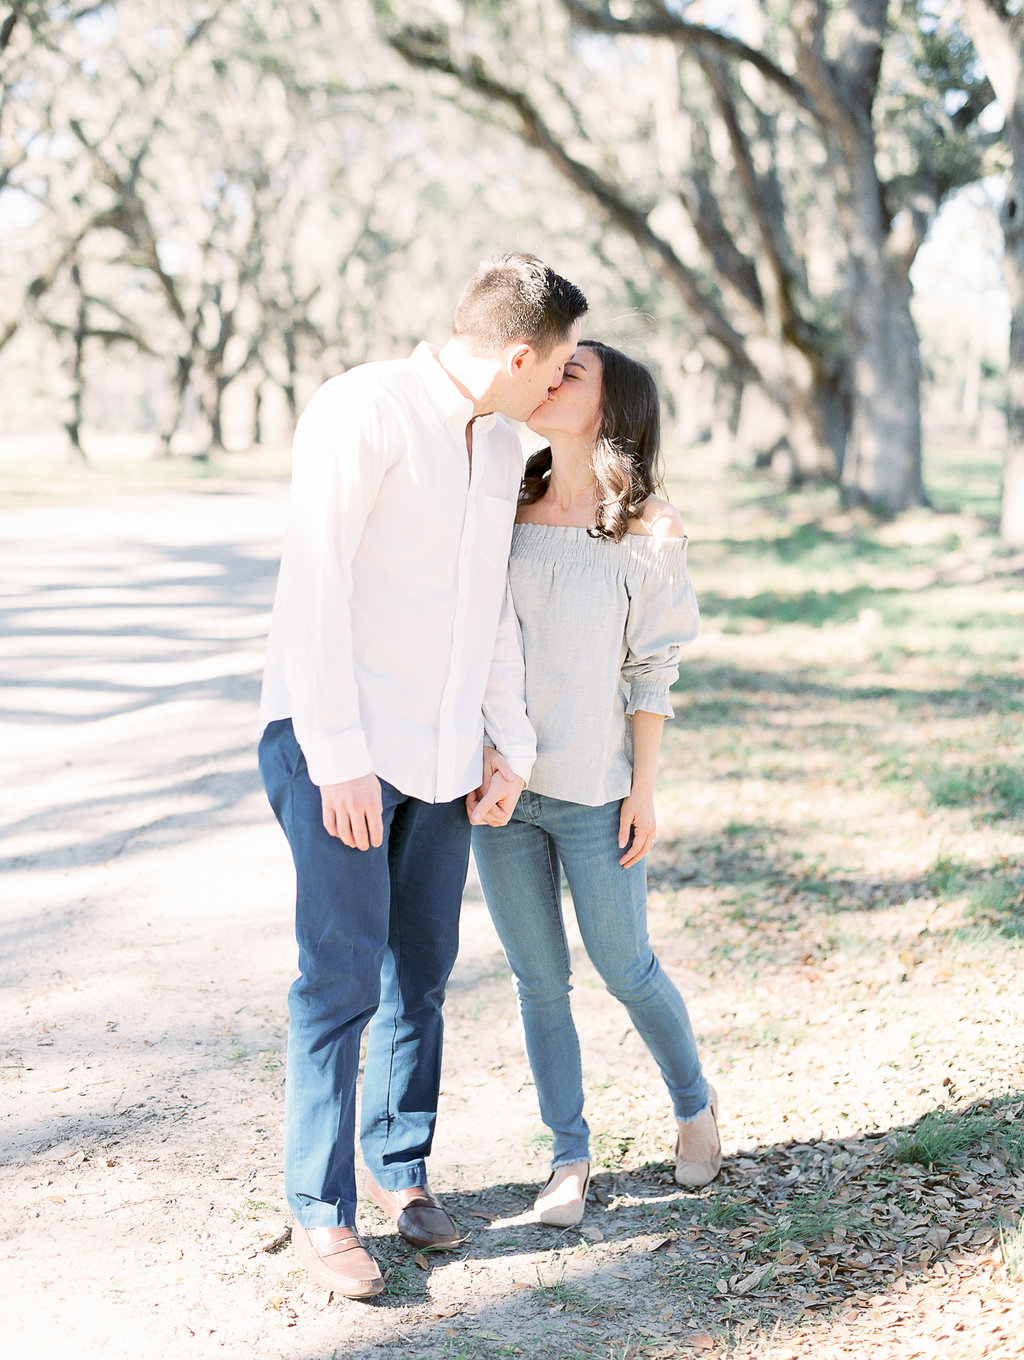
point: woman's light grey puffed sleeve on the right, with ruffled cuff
(663, 617)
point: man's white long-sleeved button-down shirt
(394, 641)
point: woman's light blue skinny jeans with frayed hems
(520, 871)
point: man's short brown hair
(516, 297)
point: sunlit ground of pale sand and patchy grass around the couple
(837, 889)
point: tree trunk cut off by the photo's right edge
(997, 29)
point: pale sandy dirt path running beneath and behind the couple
(148, 951)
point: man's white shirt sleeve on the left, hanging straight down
(339, 463)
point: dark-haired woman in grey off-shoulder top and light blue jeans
(600, 585)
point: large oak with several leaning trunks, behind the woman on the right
(806, 194)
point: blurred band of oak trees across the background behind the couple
(789, 209)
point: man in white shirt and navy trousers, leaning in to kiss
(392, 648)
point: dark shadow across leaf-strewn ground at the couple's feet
(789, 1234)
